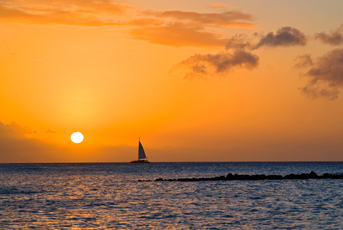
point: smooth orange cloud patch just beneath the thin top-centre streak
(178, 35)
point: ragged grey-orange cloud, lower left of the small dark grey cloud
(206, 65)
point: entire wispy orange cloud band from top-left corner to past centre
(173, 28)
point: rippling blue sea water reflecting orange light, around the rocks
(108, 195)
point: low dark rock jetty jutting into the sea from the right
(230, 176)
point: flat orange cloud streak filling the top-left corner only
(74, 12)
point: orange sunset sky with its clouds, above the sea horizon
(195, 80)
